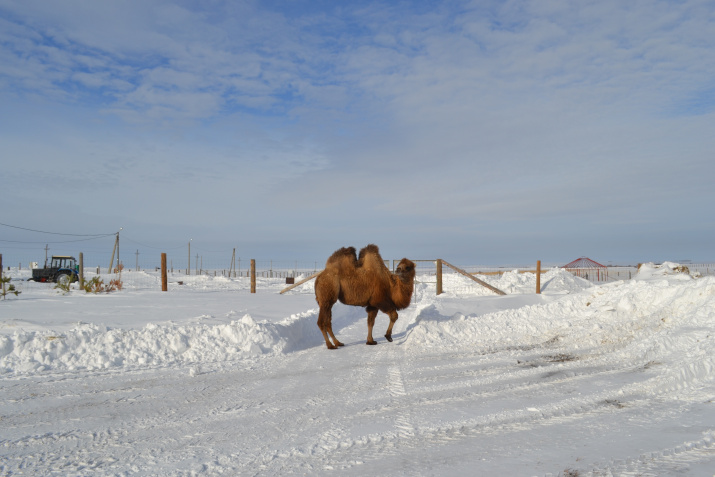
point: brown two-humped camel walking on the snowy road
(363, 281)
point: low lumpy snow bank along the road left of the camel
(92, 347)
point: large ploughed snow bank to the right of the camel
(598, 318)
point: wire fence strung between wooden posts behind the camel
(211, 273)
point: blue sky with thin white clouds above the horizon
(486, 132)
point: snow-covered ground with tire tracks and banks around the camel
(209, 379)
